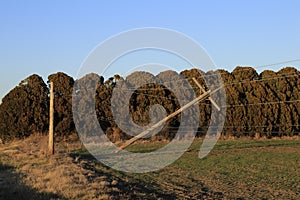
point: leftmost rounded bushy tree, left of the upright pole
(24, 110)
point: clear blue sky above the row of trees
(44, 37)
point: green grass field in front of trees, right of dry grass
(241, 169)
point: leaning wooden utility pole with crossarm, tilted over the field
(196, 100)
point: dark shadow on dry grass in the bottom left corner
(12, 187)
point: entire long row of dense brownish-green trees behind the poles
(265, 103)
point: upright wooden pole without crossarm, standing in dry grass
(51, 119)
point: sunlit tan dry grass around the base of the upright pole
(58, 176)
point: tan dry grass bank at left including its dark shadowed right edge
(26, 169)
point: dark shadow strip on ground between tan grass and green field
(133, 187)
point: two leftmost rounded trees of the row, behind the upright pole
(25, 109)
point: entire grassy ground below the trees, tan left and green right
(244, 169)
